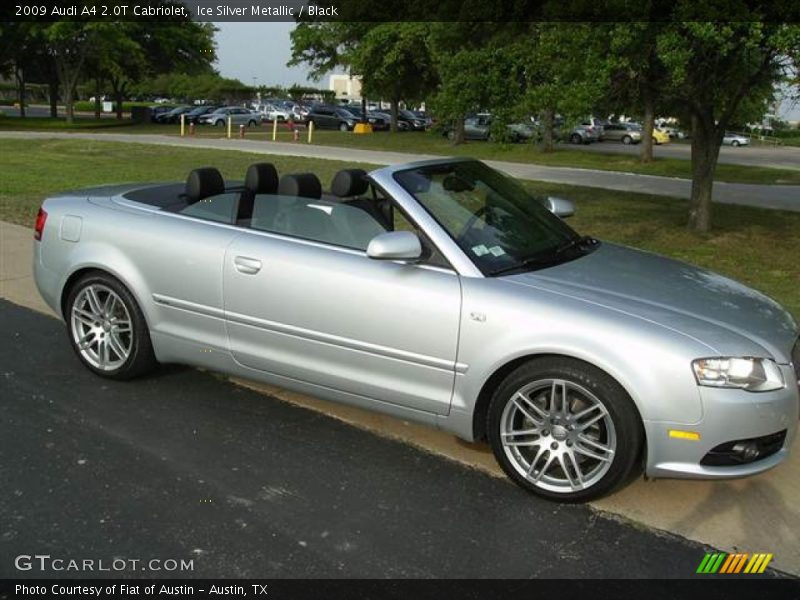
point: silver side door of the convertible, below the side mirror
(330, 316)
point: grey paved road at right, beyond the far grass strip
(783, 157)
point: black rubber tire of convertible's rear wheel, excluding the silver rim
(141, 358)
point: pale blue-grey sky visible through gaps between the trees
(261, 50)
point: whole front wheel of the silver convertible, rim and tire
(530, 400)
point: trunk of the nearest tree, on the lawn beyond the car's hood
(706, 141)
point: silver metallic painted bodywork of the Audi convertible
(400, 339)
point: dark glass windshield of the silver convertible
(494, 220)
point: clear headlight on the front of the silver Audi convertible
(751, 374)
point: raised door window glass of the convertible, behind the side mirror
(316, 220)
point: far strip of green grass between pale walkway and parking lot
(432, 143)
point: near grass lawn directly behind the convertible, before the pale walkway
(755, 246)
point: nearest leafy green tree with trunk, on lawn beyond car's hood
(722, 73)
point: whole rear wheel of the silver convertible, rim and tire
(117, 346)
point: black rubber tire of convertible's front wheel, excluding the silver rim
(625, 416)
